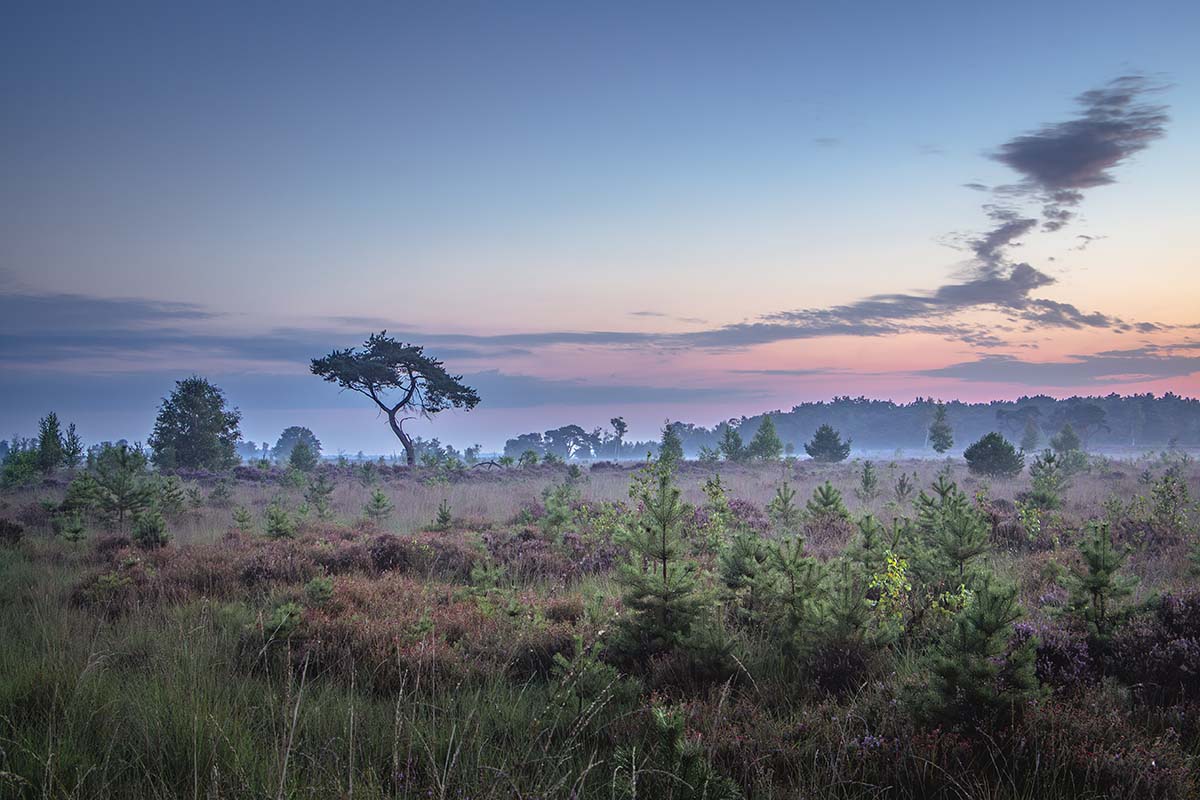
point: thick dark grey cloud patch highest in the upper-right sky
(1060, 160)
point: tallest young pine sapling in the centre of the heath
(658, 582)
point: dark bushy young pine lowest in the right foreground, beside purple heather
(979, 682)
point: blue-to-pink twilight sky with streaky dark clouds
(694, 212)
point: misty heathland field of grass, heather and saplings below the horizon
(454, 634)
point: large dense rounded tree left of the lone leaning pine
(195, 430)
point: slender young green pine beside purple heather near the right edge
(1099, 588)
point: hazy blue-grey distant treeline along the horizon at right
(1136, 422)
